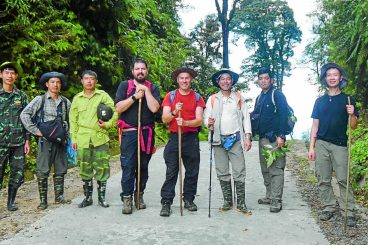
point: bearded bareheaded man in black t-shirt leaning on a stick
(126, 103)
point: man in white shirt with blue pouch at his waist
(227, 115)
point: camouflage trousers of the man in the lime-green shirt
(94, 162)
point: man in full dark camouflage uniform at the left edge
(14, 141)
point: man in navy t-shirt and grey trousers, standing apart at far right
(328, 140)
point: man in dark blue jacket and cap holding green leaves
(269, 121)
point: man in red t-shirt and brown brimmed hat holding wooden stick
(190, 106)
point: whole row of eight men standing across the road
(225, 114)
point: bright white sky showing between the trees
(299, 92)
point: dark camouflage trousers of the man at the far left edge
(15, 157)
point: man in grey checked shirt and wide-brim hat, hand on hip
(53, 105)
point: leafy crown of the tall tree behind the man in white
(271, 34)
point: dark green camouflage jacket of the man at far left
(12, 132)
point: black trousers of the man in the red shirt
(190, 159)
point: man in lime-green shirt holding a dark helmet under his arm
(90, 137)
